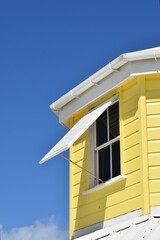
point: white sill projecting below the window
(108, 183)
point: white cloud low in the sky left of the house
(40, 230)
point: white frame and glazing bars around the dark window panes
(93, 150)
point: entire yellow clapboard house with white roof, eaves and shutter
(114, 142)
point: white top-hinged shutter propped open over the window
(79, 128)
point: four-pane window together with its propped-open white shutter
(103, 125)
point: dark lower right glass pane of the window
(115, 159)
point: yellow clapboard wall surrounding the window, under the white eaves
(136, 100)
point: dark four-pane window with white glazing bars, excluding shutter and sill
(107, 144)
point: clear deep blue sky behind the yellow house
(47, 48)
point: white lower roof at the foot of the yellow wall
(144, 227)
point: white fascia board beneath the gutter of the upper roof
(108, 84)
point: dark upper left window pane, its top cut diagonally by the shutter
(101, 129)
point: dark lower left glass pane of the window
(104, 164)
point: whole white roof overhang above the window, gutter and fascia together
(106, 79)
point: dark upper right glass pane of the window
(114, 121)
